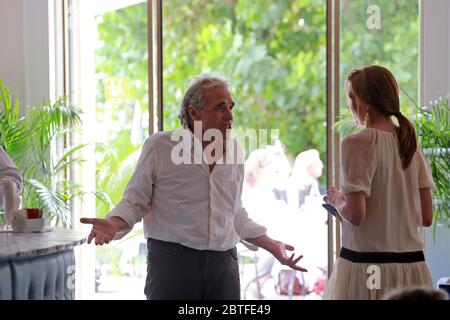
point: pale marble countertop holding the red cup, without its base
(27, 245)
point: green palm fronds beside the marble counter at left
(29, 141)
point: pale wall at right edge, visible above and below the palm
(435, 83)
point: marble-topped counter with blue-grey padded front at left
(38, 265)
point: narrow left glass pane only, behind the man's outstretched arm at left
(121, 128)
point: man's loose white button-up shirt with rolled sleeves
(184, 202)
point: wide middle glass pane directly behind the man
(273, 54)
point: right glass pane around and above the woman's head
(386, 34)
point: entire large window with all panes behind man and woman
(285, 61)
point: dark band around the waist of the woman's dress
(382, 257)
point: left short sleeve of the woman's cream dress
(358, 164)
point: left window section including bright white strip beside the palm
(109, 56)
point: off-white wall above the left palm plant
(24, 47)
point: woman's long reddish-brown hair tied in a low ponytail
(376, 86)
